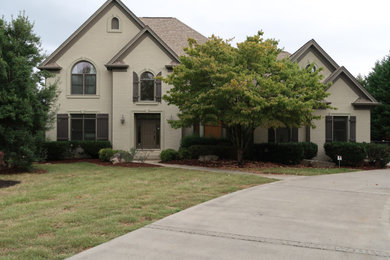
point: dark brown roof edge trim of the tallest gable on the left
(50, 64)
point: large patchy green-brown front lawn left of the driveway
(77, 206)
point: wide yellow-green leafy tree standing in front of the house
(244, 87)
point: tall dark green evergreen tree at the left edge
(25, 101)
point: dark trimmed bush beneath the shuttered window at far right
(353, 154)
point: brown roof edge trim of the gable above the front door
(117, 60)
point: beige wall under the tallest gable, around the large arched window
(97, 46)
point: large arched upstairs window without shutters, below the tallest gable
(83, 79)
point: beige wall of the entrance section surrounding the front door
(147, 56)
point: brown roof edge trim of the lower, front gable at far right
(365, 98)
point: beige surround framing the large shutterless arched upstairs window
(68, 77)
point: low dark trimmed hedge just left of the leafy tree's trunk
(222, 151)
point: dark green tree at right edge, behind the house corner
(378, 84)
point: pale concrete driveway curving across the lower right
(340, 216)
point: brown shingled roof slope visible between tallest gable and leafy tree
(173, 32)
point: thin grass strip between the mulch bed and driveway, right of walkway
(303, 171)
